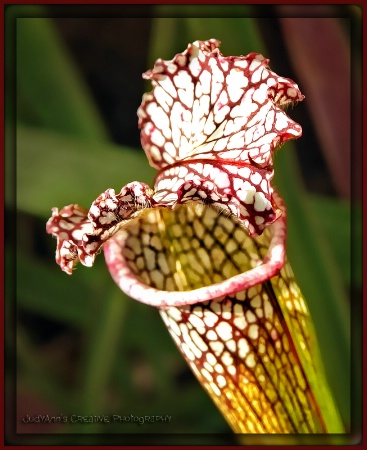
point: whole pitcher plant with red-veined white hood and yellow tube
(207, 244)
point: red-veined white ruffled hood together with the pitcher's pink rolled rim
(210, 126)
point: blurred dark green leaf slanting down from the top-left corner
(50, 91)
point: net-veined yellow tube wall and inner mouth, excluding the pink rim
(242, 348)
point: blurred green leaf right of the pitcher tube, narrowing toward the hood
(318, 277)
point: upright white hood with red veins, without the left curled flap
(210, 126)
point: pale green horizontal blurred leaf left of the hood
(56, 170)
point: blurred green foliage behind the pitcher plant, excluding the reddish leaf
(120, 358)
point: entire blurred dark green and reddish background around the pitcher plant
(82, 346)
